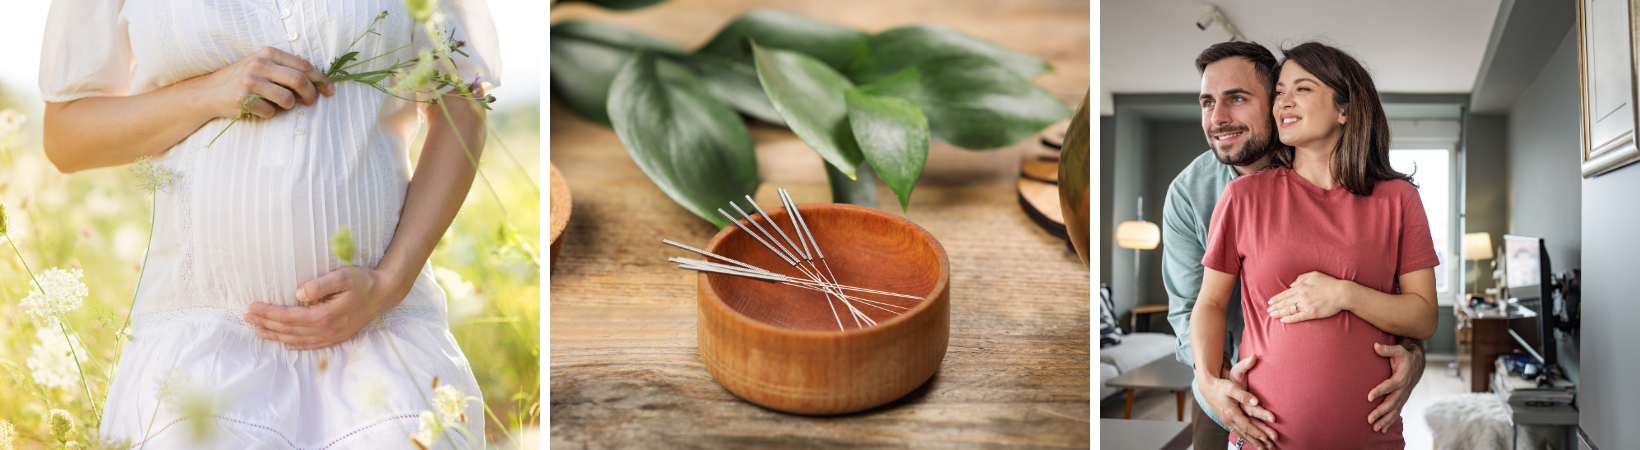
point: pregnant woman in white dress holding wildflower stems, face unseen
(242, 300)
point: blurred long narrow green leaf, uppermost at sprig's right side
(900, 48)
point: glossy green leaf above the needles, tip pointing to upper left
(809, 98)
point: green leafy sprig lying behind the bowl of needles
(867, 104)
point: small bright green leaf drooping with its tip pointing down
(895, 137)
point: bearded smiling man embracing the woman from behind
(1237, 88)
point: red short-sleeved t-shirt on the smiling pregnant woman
(1270, 229)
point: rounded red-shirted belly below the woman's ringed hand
(1314, 377)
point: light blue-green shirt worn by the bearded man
(1187, 218)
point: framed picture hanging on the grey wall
(1606, 71)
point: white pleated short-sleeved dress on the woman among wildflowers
(250, 219)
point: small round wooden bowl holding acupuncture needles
(780, 346)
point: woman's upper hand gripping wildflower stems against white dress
(280, 78)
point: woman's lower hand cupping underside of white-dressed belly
(332, 310)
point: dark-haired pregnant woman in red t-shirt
(1334, 254)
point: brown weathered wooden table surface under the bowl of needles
(626, 370)
